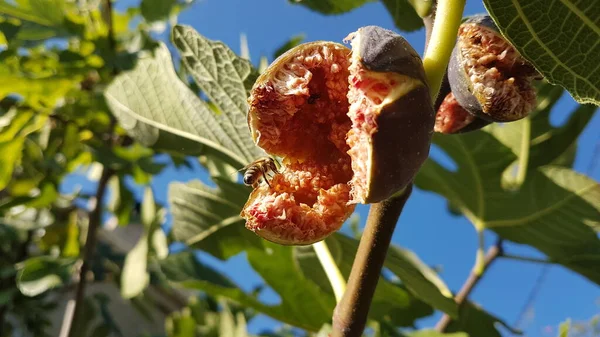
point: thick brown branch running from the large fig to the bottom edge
(350, 315)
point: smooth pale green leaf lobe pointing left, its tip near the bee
(161, 112)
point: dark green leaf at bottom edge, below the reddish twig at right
(477, 322)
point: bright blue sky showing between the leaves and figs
(438, 238)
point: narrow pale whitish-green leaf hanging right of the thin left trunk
(134, 276)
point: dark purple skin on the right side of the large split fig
(401, 143)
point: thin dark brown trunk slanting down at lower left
(89, 249)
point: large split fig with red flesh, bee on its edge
(351, 126)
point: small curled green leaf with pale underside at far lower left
(39, 274)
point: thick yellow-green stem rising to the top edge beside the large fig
(448, 15)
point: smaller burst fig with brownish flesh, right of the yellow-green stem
(487, 75)
